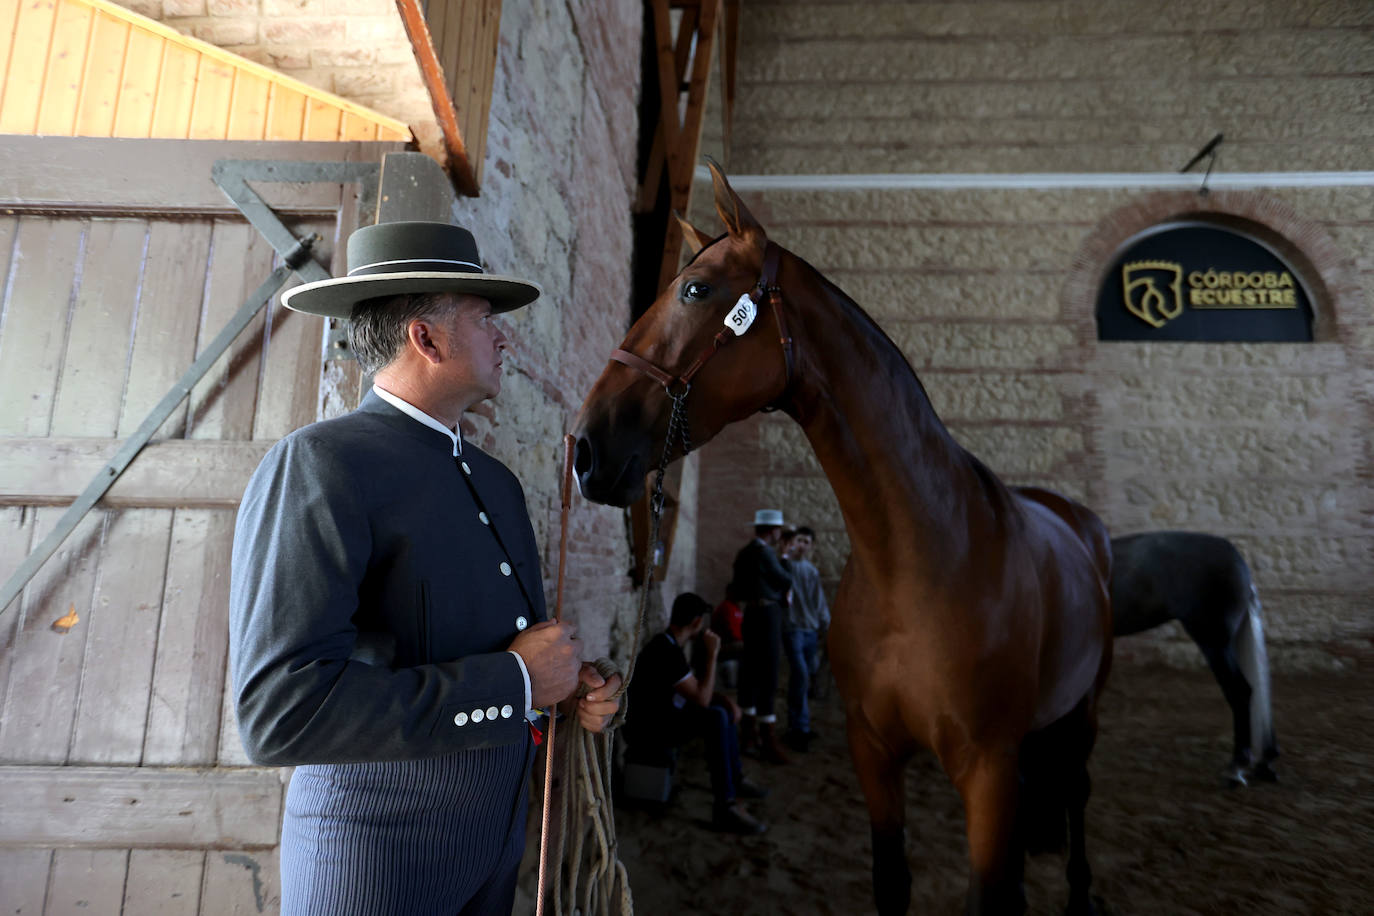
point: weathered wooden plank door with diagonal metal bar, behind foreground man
(123, 782)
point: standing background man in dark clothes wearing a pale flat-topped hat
(762, 584)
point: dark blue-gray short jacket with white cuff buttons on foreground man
(376, 586)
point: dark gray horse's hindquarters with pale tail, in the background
(1203, 583)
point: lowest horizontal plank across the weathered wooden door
(141, 807)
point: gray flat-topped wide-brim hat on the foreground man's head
(391, 259)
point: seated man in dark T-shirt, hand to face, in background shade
(670, 705)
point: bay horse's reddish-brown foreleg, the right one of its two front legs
(990, 790)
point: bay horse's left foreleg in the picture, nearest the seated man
(884, 789)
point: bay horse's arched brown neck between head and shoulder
(908, 491)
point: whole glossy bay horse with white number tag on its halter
(971, 619)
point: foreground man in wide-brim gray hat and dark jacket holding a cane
(388, 626)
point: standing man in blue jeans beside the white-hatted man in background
(809, 619)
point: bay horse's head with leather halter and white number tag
(710, 347)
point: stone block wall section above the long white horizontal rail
(1052, 86)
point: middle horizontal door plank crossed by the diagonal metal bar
(170, 474)
